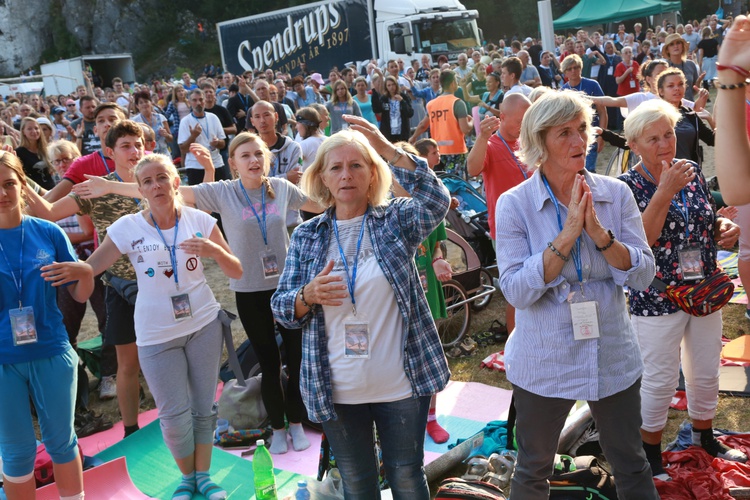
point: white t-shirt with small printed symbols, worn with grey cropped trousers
(154, 319)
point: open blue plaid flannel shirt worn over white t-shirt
(396, 230)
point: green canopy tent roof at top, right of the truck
(589, 12)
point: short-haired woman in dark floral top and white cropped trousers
(683, 230)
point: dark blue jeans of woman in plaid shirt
(401, 428)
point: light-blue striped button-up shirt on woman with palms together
(541, 355)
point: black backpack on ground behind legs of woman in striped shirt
(581, 478)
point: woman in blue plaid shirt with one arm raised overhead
(370, 350)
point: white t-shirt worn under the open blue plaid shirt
(381, 377)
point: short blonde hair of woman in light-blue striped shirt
(552, 109)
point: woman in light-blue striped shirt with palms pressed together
(567, 243)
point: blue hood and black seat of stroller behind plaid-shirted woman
(469, 220)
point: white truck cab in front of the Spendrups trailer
(409, 28)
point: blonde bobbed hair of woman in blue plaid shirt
(312, 179)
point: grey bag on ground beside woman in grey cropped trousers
(243, 406)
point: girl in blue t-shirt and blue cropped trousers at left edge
(36, 359)
